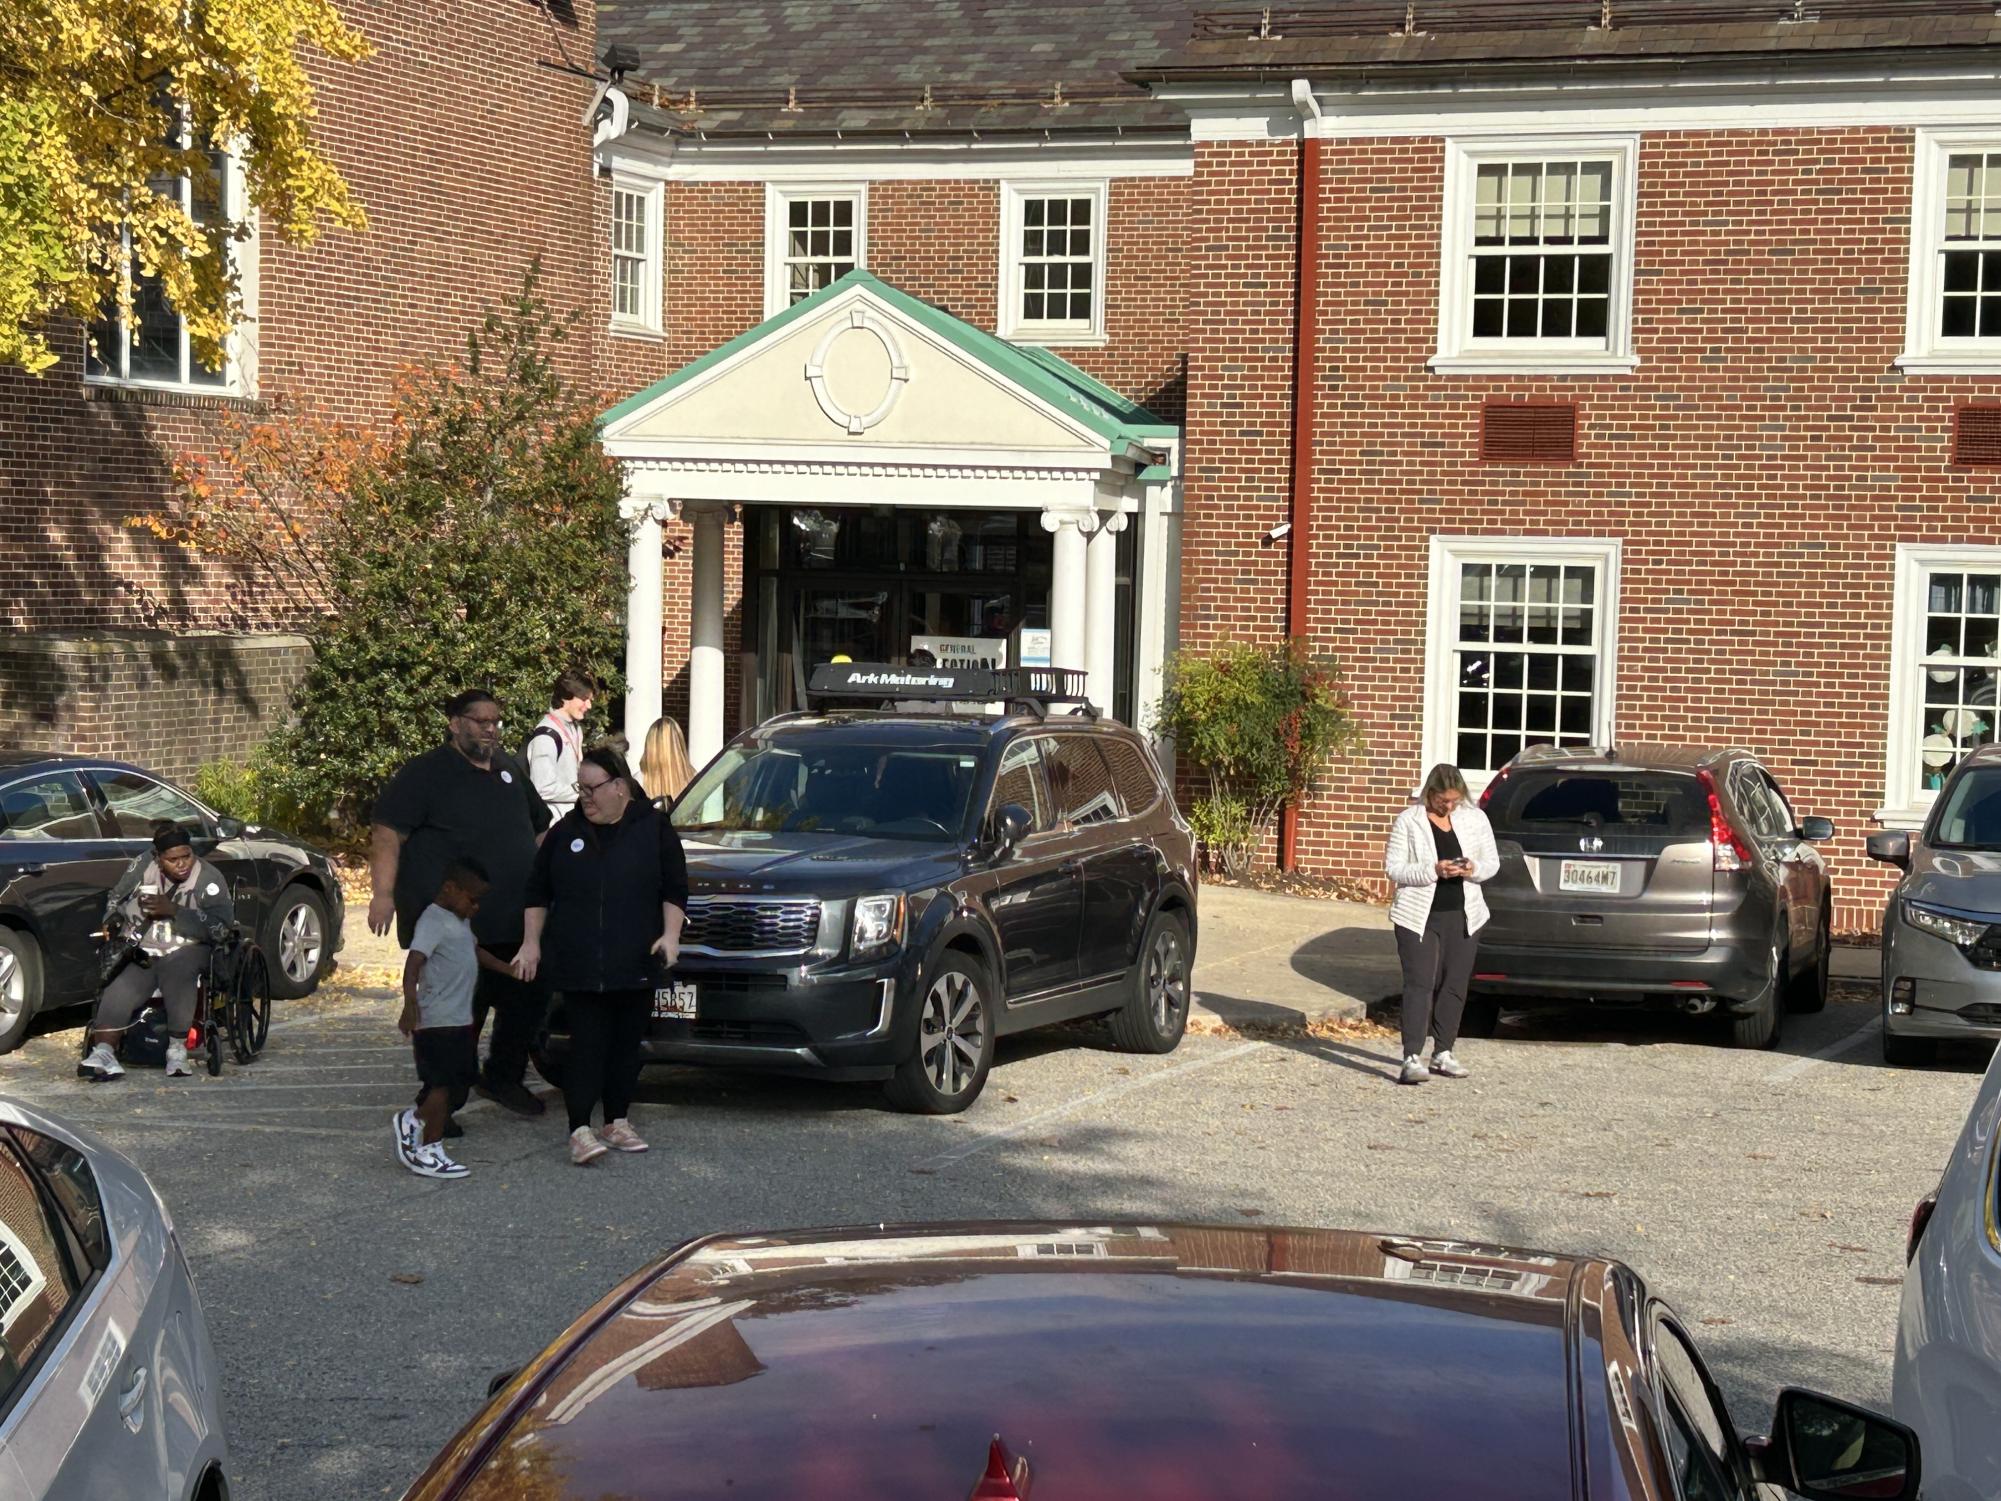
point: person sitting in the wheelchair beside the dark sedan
(183, 910)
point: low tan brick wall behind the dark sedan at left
(165, 701)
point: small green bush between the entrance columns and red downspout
(1262, 725)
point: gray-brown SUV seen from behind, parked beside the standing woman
(1654, 876)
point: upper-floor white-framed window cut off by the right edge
(1954, 323)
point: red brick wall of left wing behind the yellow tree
(463, 143)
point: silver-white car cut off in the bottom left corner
(107, 1376)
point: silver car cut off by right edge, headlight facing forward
(1942, 930)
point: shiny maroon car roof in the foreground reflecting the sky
(1122, 1362)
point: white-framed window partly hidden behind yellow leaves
(153, 349)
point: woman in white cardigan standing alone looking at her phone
(1440, 854)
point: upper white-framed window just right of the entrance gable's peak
(1054, 261)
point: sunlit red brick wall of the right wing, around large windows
(1760, 465)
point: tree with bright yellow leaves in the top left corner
(111, 113)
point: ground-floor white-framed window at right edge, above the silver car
(1944, 675)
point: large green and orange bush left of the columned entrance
(473, 543)
